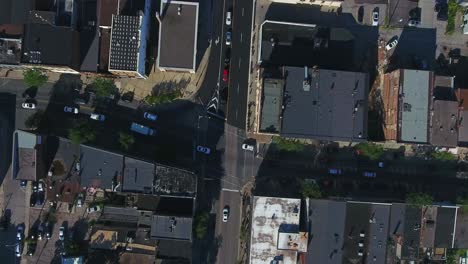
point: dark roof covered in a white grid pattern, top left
(125, 42)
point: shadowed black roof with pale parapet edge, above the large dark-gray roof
(301, 44)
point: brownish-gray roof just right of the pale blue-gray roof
(444, 123)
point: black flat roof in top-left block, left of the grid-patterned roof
(44, 44)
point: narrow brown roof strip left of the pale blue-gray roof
(390, 104)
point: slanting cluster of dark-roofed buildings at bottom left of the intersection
(154, 203)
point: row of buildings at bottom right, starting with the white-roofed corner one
(312, 231)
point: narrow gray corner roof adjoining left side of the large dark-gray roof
(272, 101)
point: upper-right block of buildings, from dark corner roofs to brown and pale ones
(310, 88)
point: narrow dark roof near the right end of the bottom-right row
(445, 227)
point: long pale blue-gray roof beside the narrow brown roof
(414, 105)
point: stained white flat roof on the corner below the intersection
(270, 216)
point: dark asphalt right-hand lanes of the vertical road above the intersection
(240, 59)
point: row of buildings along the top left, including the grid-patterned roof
(99, 36)
